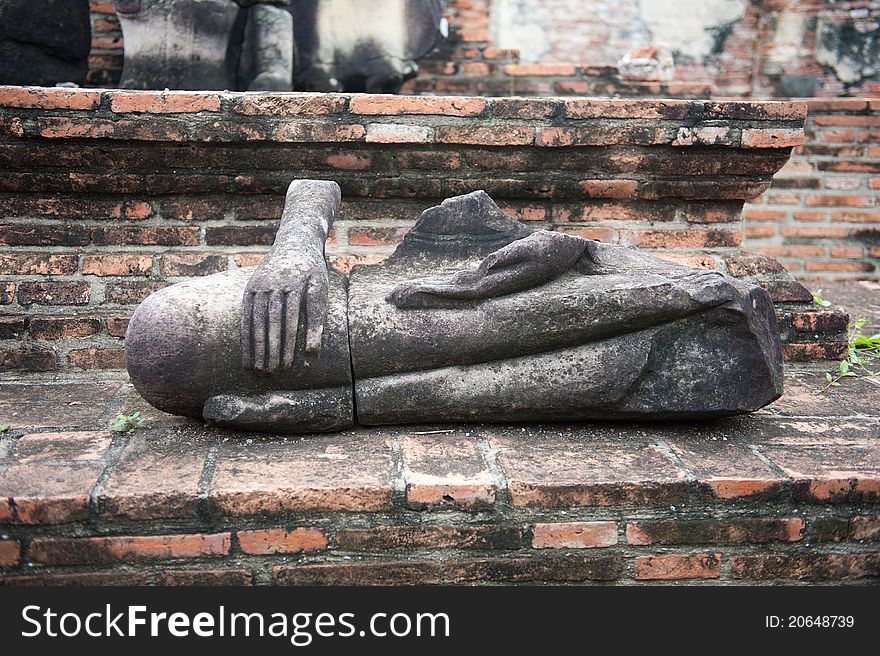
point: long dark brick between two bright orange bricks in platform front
(385, 538)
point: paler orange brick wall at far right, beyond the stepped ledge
(821, 216)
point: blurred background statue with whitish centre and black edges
(362, 46)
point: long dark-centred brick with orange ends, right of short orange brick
(708, 531)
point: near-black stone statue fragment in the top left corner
(44, 42)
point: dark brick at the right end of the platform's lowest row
(809, 567)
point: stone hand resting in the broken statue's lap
(523, 264)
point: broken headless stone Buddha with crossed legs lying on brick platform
(473, 318)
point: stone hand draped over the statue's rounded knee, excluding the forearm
(283, 288)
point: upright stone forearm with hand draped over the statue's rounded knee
(291, 285)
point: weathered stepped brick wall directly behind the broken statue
(107, 196)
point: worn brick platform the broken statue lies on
(787, 494)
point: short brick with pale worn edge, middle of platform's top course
(447, 472)
